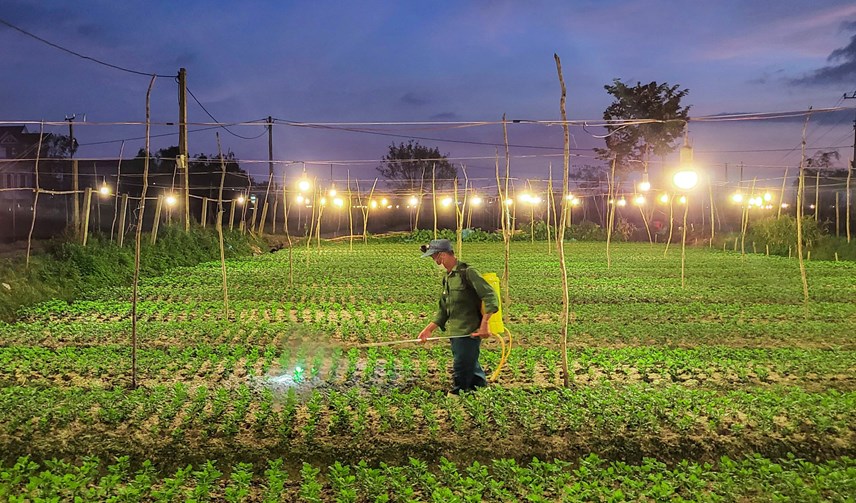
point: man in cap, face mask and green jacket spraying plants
(460, 314)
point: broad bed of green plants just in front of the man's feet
(248, 420)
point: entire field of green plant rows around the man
(727, 389)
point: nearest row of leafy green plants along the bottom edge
(592, 478)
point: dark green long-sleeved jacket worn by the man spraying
(460, 306)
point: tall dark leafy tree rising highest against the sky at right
(636, 143)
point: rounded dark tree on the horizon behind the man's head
(410, 166)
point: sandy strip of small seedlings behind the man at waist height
(261, 324)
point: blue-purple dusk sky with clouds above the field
(439, 61)
